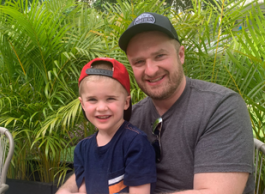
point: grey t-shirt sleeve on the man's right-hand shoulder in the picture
(227, 143)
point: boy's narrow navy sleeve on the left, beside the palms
(79, 164)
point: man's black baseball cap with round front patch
(147, 22)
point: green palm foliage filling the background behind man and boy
(44, 45)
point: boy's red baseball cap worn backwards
(118, 72)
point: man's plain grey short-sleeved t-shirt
(208, 129)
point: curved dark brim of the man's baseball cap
(132, 31)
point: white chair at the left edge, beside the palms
(6, 153)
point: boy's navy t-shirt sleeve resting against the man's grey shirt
(140, 167)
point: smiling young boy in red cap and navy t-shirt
(118, 158)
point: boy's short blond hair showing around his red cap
(99, 65)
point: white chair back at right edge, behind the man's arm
(259, 153)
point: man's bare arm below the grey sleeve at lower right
(218, 183)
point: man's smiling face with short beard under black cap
(156, 63)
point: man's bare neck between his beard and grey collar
(162, 106)
